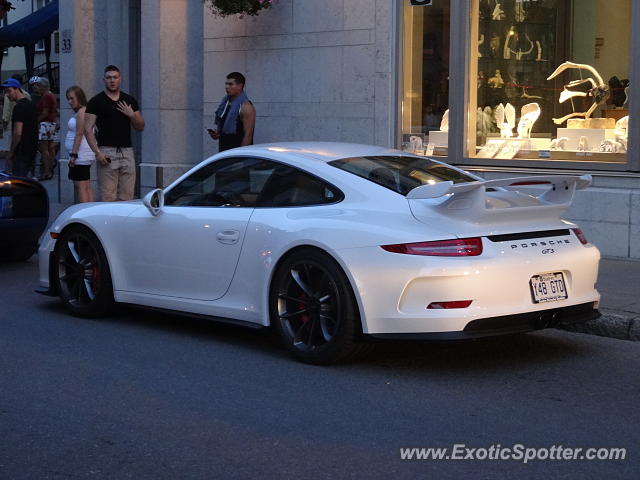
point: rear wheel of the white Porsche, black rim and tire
(313, 309)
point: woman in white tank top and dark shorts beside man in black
(80, 155)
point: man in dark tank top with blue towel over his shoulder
(235, 117)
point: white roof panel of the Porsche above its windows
(321, 151)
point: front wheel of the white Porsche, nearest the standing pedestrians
(81, 274)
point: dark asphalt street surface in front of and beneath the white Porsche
(144, 395)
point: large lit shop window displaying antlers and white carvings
(549, 80)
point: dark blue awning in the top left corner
(32, 28)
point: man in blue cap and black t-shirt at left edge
(24, 136)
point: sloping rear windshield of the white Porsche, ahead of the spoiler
(401, 174)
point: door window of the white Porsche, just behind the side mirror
(231, 182)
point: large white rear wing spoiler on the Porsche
(468, 201)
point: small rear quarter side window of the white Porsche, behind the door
(289, 187)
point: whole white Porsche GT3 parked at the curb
(333, 245)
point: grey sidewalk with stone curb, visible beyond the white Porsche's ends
(618, 283)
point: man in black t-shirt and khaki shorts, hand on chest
(113, 113)
